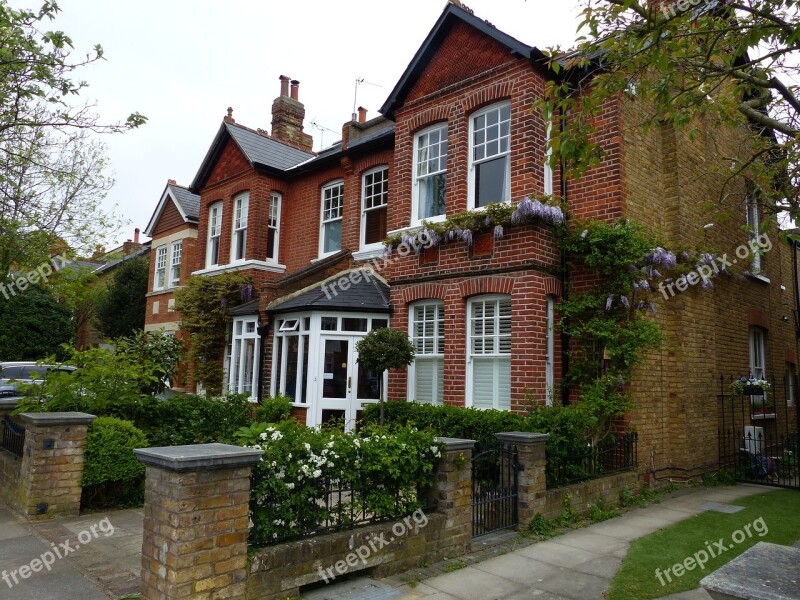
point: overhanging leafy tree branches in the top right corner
(696, 64)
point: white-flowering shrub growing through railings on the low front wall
(314, 479)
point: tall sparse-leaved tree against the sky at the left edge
(51, 168)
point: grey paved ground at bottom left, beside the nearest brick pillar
(104, 567)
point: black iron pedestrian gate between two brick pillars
(494, 489)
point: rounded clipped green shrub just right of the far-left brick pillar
(111, 471)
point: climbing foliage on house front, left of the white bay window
(204, 304)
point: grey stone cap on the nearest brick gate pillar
(198, 457)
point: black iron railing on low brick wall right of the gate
(606, 458)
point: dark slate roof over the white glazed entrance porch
(369, 294)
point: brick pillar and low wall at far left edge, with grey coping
(46, 481)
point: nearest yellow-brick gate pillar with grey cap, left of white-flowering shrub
(195, 521)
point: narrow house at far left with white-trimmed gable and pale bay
(173, 229)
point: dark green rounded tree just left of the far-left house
(121, 309)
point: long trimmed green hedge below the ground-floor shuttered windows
(569, 427)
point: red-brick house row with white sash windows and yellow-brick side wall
(456, 133)
